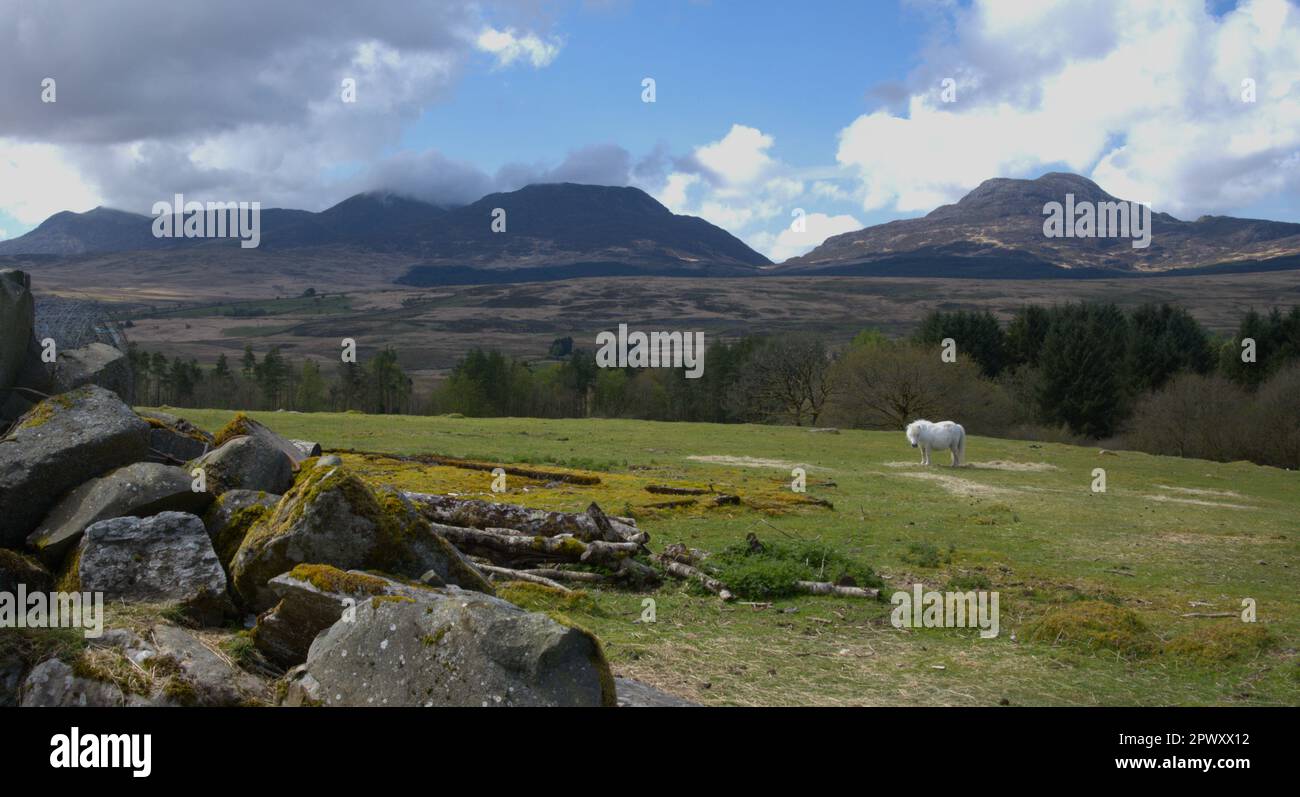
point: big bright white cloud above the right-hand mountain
(1142, 96)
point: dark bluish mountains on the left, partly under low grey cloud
(547, 227)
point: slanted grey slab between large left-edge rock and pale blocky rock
(140, 490)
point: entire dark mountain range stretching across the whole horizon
(560, 231)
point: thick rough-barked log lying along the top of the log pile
(471, 513)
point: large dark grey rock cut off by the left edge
(62, 443)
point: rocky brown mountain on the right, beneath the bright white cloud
(998, 231)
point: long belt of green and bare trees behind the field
(1150, 378)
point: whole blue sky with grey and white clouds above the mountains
(765, 109)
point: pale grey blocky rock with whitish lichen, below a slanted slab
(162, 560)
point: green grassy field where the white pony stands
(1169, 538)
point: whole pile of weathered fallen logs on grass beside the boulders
(591, 548)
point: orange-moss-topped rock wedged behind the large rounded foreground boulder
(313, 597)
